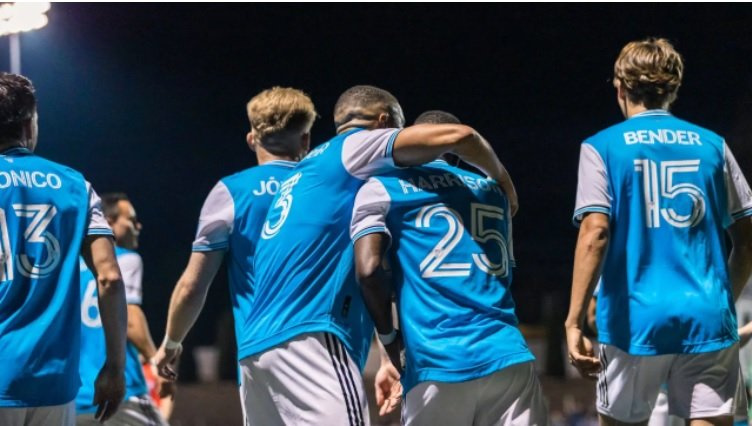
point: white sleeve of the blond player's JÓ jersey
(216, 220)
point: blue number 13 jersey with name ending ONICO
(46, 210)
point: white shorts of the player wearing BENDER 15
(699, 385)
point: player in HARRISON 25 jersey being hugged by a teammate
(447, 234)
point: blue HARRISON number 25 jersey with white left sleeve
(451, 257)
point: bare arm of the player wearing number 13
(99, 253)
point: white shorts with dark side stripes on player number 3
(309, 380)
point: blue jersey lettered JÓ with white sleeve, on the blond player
(231, 219)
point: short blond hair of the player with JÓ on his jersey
(278, 111)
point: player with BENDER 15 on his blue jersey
(655, 194)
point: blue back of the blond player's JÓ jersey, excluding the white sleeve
(251, 192)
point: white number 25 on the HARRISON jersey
(433, 264)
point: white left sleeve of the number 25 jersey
(369, 212)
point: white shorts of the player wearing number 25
(511, 396)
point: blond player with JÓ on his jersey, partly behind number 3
(232, 217)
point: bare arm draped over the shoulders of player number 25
(422, 143)
